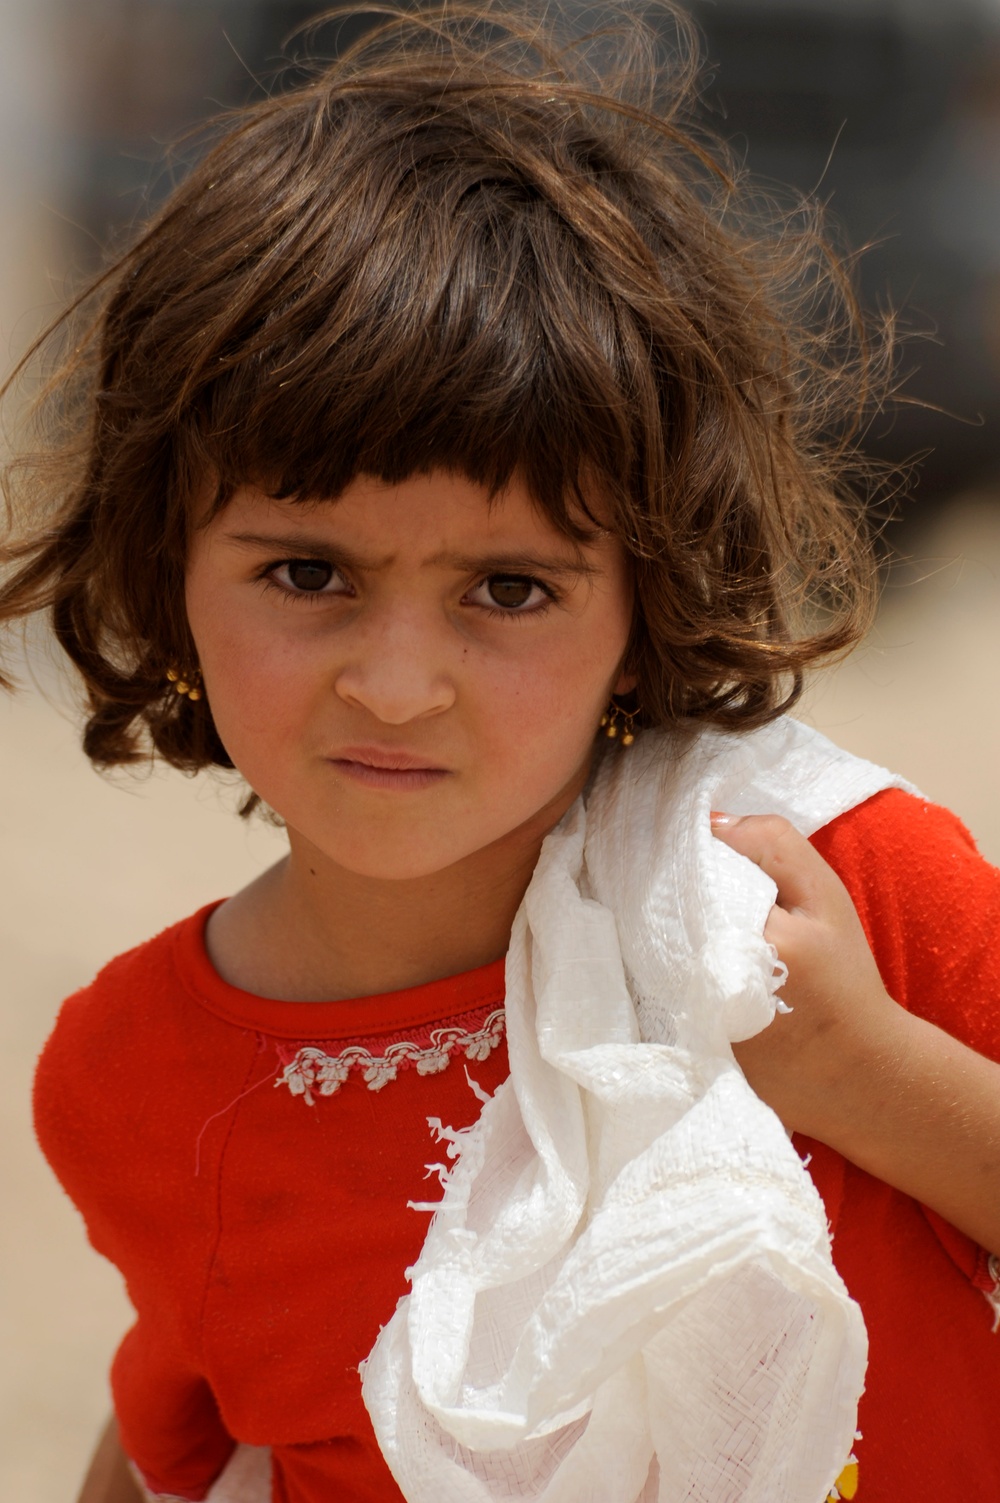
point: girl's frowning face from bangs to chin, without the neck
(408, 676)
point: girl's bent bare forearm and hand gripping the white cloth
(891, 1092)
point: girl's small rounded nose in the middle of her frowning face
(396, 668)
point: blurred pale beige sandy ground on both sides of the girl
(89, 869)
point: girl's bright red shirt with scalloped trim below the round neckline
(265, 1238)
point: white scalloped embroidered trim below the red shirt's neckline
(315, 1069)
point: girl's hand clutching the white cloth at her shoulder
(807, 1065)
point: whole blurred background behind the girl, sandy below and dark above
(888, 109)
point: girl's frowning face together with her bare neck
(476, 643)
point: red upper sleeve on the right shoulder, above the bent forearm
(932, 909)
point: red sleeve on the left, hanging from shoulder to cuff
(94, 1087)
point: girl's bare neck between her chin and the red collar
(312, 931)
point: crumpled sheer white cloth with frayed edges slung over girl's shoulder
(628, 1293)
